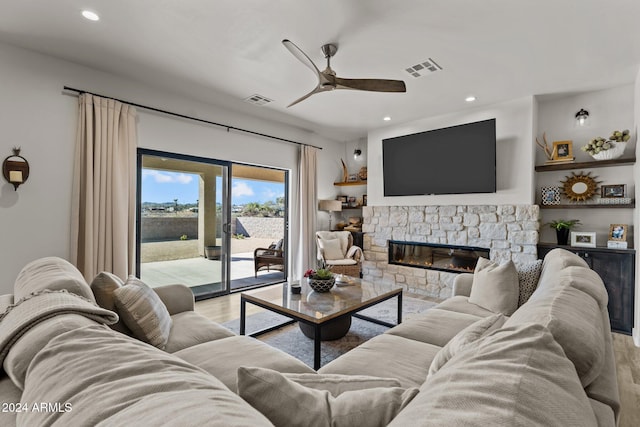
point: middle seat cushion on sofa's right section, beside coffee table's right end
(435, 327)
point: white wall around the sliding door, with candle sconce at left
(36, 115)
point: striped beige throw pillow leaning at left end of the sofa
(142, 311)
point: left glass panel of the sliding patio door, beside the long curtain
(183, 222)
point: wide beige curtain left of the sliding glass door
(104, 188)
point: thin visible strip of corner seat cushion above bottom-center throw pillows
(337, 384)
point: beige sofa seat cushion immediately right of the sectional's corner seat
(392, 356)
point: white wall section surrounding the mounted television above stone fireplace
(514, 173)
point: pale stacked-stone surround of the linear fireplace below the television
(510, 232)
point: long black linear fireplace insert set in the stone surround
(451, 258)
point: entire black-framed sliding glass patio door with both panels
(212, 225)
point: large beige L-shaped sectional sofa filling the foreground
(549, 362)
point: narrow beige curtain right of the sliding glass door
(307, 201)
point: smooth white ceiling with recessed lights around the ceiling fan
(222, 51)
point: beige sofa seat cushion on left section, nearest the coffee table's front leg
(222, 358)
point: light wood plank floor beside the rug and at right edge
(225, 308)
